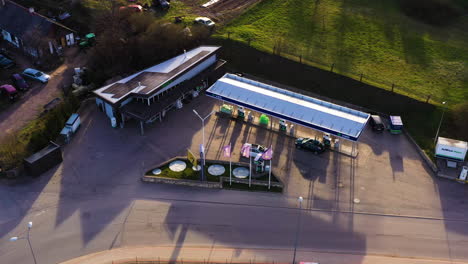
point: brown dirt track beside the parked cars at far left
(32, 103)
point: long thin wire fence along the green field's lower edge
(283, 48)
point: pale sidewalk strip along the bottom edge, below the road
(239, 255)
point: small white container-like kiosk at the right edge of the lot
(452, 150)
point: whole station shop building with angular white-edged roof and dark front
(147, 95)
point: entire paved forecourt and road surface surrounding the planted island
(95, 201)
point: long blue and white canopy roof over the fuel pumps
(293, 107)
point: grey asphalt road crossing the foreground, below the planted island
(160, 217)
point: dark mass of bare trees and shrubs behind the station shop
(130, 42)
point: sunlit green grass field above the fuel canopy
(363, 36)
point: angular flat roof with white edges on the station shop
(151, 80)
